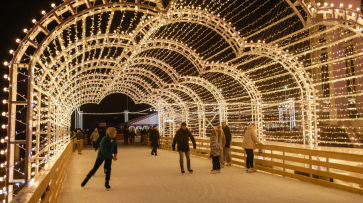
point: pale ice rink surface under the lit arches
(139, 177)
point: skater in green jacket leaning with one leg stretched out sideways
(107, 152)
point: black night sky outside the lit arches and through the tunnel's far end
(17, 15)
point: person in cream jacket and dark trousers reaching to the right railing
(249, 144)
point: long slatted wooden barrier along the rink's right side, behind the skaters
(338, 170)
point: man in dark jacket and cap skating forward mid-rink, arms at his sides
(182, 139)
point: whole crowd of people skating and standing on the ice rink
(220, 144)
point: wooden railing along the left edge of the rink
(46, 185)
